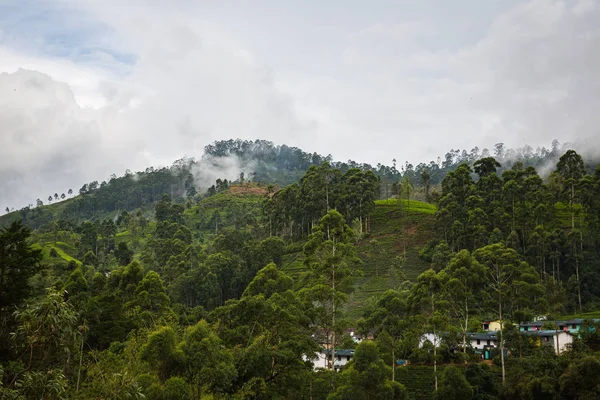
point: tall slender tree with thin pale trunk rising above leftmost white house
(330, 255)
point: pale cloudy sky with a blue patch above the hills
(94, 87)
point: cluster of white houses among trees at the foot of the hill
(482, 342)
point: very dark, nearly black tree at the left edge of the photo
(18, 263)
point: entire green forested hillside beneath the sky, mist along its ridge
(309, 278)
